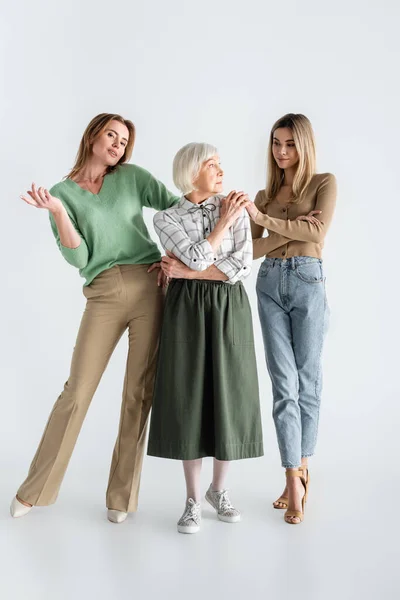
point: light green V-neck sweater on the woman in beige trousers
(110, 223)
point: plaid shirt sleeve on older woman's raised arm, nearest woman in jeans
(237, 265)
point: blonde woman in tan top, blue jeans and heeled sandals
(296, 209)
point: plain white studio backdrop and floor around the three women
(220, 72)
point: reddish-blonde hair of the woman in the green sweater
(92, 132)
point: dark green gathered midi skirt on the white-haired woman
(206, 400)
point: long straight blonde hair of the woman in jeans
(303, 137)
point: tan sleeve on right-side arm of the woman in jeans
(304, 231)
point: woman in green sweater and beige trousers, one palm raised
(96, 217)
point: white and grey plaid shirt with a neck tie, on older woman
(184, 228)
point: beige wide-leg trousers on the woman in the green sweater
(123, 297)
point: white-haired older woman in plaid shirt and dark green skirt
(206, 399)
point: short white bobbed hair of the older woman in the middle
(187, 164)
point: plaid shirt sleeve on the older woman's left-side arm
(196, 255)
